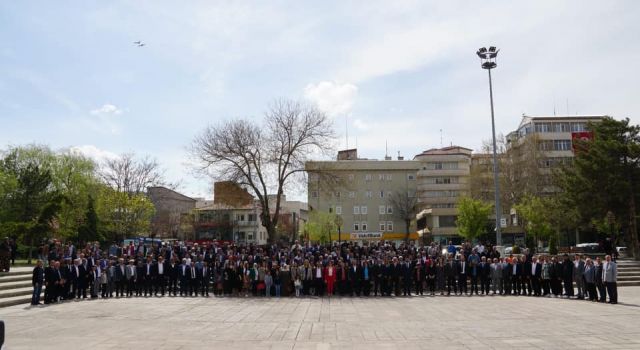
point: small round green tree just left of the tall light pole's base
(472, 219)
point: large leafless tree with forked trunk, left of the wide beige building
(265, 157)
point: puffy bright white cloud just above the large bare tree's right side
(332, 97)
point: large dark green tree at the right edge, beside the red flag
(604, 177)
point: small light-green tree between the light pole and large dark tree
(536, 214)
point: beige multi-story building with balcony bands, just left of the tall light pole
(442, 178)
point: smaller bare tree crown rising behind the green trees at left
(130, 175)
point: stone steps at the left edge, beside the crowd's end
(15, 286)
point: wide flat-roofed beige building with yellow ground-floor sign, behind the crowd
(361, 193)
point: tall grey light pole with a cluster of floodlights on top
(488, 62)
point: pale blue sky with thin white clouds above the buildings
(396, 75)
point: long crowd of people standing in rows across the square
(347, 269)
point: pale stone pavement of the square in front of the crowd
(336, 323)
